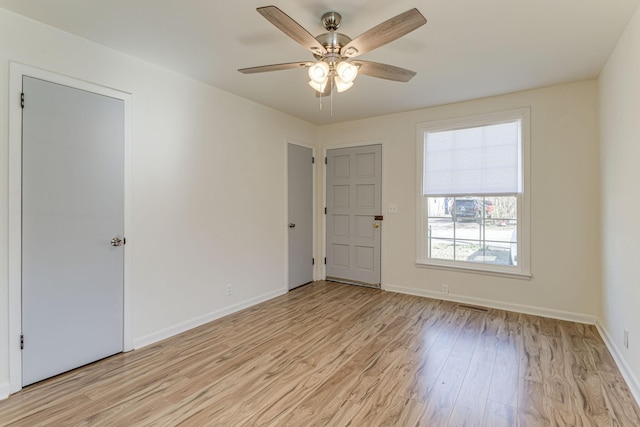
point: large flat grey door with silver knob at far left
(72, 208)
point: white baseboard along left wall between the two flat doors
(201, 320)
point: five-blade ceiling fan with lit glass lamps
(335, 52)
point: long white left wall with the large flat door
(208, 184)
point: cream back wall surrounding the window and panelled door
(565, 245)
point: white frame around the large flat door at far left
(16, 72)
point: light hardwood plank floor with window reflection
(333, 354)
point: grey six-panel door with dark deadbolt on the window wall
(354, 184)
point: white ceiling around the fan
(468, 49)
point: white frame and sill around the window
(523, 226)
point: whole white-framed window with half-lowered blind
(473, 198)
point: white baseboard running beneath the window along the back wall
(501, 305)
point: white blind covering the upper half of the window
(475, 160)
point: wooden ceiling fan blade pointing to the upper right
(384, 33)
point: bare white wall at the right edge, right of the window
(620, 157)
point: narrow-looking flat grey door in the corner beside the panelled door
(300, 202)
